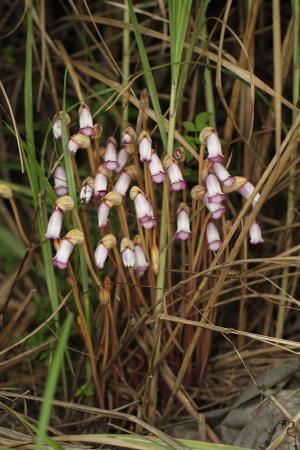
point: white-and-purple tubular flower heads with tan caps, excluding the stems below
(119, 168)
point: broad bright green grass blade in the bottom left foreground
(55, 367)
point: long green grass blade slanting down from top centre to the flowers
(147, 73)
